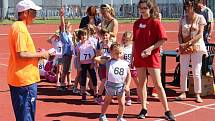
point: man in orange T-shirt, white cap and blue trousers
(23, 73)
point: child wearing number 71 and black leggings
(86, 54)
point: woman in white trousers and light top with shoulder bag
(191, 27)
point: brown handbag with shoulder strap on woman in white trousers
(188, 48)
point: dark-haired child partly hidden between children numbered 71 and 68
(103, 51)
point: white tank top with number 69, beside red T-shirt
(127, 52)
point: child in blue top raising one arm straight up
(68, 49)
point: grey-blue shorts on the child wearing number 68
(114, 89)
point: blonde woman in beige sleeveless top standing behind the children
(109, 22)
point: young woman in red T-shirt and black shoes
(149, 35)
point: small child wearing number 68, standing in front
(118, 80)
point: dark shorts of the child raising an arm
(67, 66)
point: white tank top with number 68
(117, 71)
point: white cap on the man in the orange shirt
(26, 5)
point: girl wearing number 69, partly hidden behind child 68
(127, 51)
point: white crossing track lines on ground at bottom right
(191, 110)
